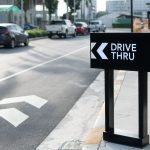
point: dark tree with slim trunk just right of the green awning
(25, 6)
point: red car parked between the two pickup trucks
(81, 28)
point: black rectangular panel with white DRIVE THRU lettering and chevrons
(123, 51)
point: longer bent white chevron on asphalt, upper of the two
(31, 99)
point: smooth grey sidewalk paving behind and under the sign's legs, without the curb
(126, 112)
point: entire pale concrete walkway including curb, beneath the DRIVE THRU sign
(82, 127)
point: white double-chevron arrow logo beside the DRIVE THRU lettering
(100, 51)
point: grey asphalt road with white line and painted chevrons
(48, 77)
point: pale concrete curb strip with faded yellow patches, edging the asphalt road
(72, 132)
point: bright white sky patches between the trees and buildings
(101, 5)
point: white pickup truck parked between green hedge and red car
(62, 27)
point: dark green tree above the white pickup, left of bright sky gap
(51, 6)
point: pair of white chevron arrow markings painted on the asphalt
(13, 115)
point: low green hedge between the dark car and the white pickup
(36, 33)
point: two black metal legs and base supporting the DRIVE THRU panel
(109, 134)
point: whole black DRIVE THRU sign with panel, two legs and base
(122, 51)
